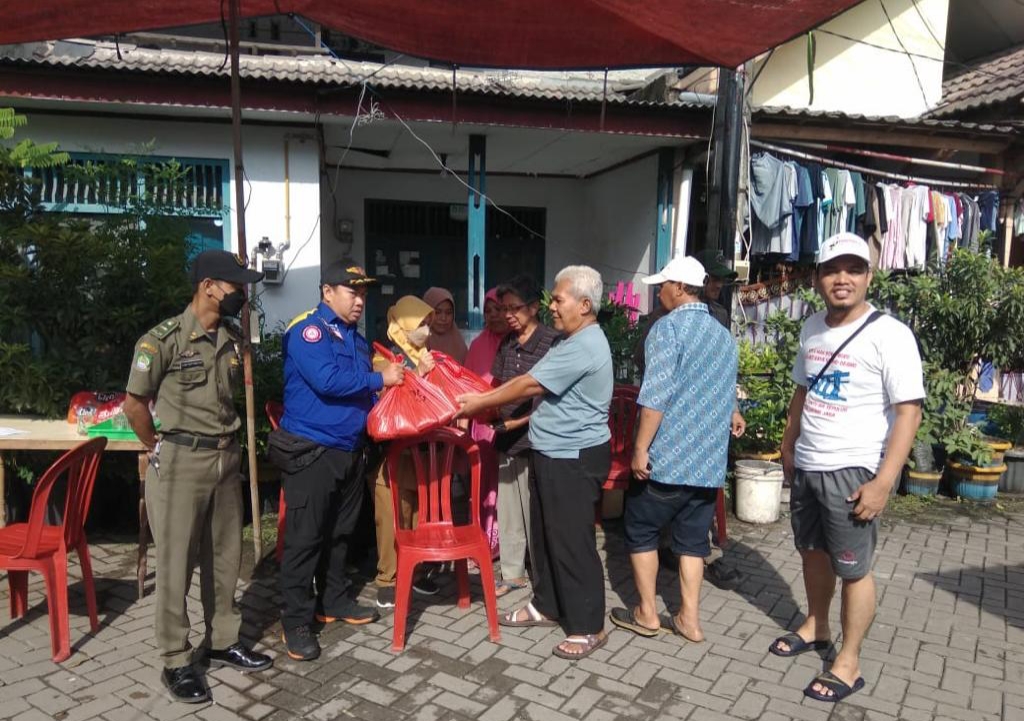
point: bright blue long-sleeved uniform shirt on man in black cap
(329, 383)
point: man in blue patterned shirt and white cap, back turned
(688, 401)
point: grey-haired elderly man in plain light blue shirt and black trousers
(570, 438)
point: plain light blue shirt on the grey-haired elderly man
(574, 414)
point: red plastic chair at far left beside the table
(38, 546)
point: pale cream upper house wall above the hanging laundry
(852, 77)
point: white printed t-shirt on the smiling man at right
(849, 413)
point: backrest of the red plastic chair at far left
(80, 464)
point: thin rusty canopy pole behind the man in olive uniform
(240, 206)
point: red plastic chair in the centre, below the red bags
(436, 537)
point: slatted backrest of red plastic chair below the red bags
(434, 456)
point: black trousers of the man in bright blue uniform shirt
(324, 501)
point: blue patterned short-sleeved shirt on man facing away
(691, 377)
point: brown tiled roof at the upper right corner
(990, 82)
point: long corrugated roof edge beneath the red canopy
(321, 70)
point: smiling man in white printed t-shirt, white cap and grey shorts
(852, 422)
